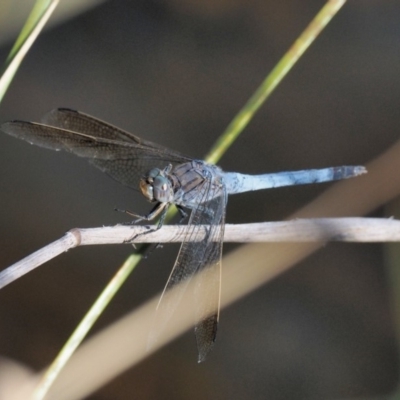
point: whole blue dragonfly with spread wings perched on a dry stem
(167, 177)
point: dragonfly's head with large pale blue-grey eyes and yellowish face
(155, 186)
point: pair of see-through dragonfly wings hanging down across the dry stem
(194, 257)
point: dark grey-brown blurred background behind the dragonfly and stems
(176, 72)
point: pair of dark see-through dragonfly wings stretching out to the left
(124, 156)
